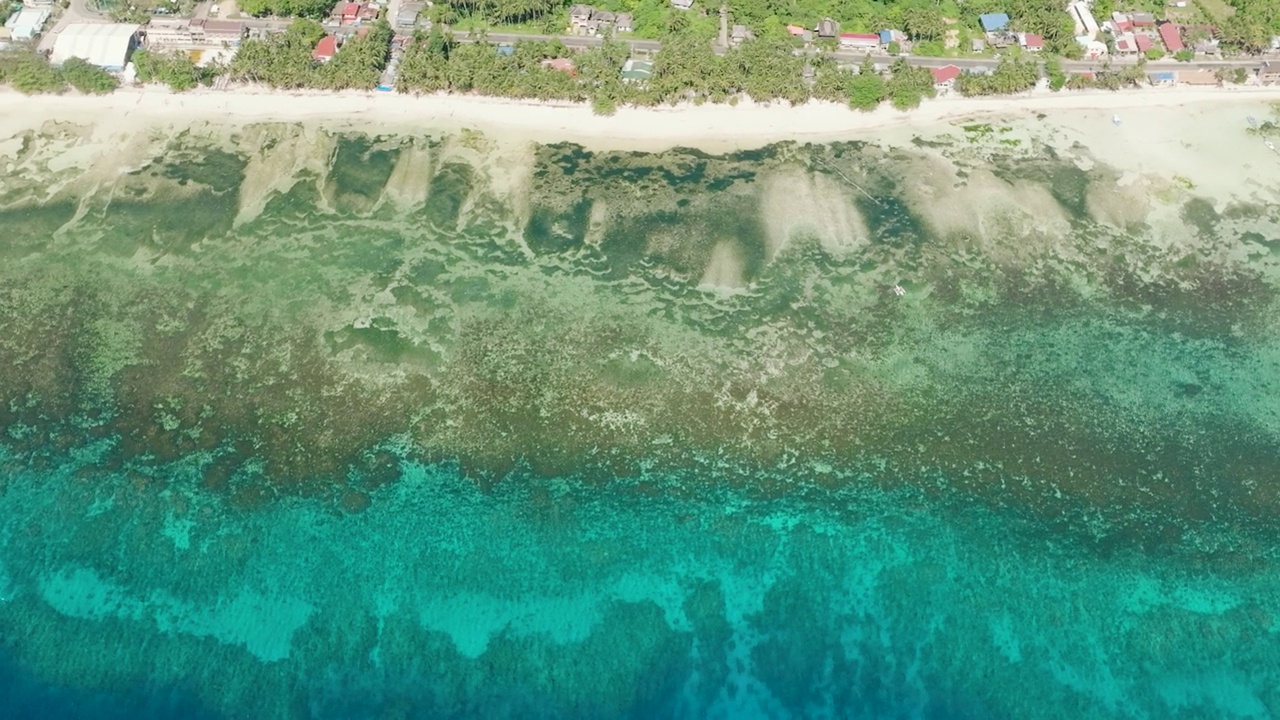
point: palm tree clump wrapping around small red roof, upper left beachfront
(285, 61)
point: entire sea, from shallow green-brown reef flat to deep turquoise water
(433, 427)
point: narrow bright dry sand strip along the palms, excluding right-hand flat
(711, 127)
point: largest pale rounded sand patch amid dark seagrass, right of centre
(811, 204)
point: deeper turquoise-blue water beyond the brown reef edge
(546, 599)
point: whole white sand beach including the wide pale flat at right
(1169, 133)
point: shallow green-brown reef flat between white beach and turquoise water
(287, 309)
